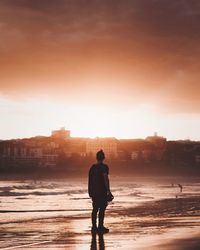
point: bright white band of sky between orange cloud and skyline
(39, 117)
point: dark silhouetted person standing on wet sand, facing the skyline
(99, 192)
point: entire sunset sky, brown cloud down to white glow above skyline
(100, 68)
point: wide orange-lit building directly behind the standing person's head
(108, 145)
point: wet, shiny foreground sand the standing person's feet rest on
(172, 224)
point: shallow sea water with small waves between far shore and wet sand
(31, 199)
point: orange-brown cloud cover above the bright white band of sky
(148, 47)
